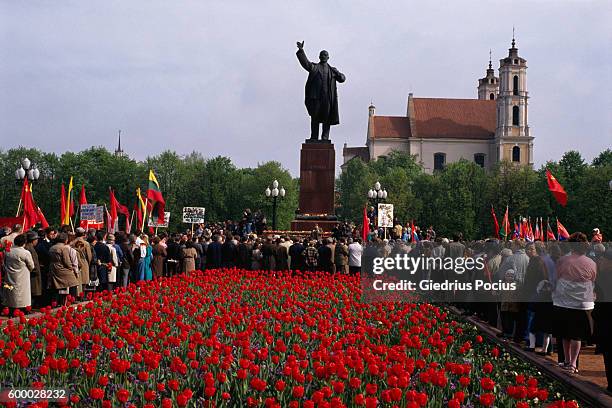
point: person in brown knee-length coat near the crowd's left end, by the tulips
(63, 269)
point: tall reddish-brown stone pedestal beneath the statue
(317, 178)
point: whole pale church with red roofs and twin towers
(486, 130)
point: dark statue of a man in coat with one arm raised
(321, 94)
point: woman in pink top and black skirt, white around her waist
(573, 299)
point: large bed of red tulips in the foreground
(240, 338)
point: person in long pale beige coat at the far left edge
(18, 265)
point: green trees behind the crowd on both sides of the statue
(458, 198)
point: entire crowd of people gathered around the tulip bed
(568, 287)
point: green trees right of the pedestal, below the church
(459, 197)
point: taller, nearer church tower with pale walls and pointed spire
(513, 141)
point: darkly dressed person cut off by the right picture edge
(603, 311)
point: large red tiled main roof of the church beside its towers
(455, 118)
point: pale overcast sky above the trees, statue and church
(222, 78)
